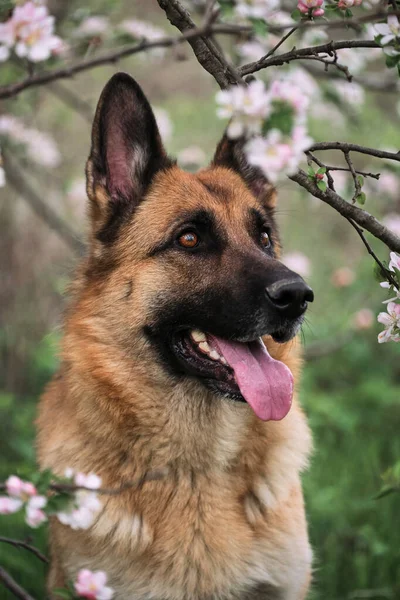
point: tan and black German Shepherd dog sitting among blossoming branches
(178, 358)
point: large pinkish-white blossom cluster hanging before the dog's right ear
(273, 120)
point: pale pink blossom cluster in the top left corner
(30, 33)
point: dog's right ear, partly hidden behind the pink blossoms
(230, 154)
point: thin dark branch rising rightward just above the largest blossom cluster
(301, 53)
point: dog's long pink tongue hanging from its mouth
(265, 383)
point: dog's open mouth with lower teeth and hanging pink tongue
(242, 371)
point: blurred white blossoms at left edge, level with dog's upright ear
(39, 146)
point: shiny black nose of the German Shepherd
(290, 296)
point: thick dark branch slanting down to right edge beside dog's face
(349, 211)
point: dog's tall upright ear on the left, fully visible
(126, 150)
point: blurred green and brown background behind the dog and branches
(350, 387)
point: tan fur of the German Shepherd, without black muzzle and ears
(227, 521)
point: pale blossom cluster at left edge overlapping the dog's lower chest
(79, 513)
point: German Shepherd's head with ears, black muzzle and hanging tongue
(188, 263)
